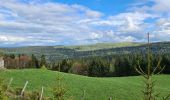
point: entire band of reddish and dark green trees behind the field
(107, 66)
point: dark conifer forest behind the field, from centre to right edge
(109, 66)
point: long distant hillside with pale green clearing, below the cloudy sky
(101, 49)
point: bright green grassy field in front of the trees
(120, 88)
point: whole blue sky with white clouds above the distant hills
(79, 22)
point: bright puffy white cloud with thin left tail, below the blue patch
(123, 24)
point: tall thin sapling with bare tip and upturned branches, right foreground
(149, 93)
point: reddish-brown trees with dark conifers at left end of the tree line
(21, 61)
